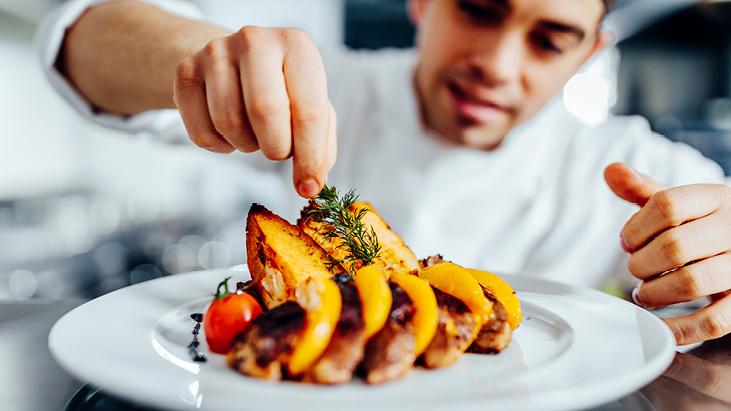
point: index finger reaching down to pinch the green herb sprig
(311, 111)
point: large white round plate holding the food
(576, 348)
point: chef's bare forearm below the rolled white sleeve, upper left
(122, 55)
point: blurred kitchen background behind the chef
(85, 210)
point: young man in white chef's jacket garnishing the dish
(458, 143)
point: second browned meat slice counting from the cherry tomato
(346, 348)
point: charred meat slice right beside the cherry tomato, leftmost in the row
(263, 348)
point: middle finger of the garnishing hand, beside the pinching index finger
(265, 92)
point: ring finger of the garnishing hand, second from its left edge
(225, 100)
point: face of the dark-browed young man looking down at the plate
(488, 65)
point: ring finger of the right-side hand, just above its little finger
(705, 277)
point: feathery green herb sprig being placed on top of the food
(338, 222)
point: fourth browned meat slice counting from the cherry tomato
(454, 331)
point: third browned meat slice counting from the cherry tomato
(389, 353)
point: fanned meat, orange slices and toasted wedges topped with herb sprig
(343, 296)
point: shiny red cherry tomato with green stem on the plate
(227, 316)
